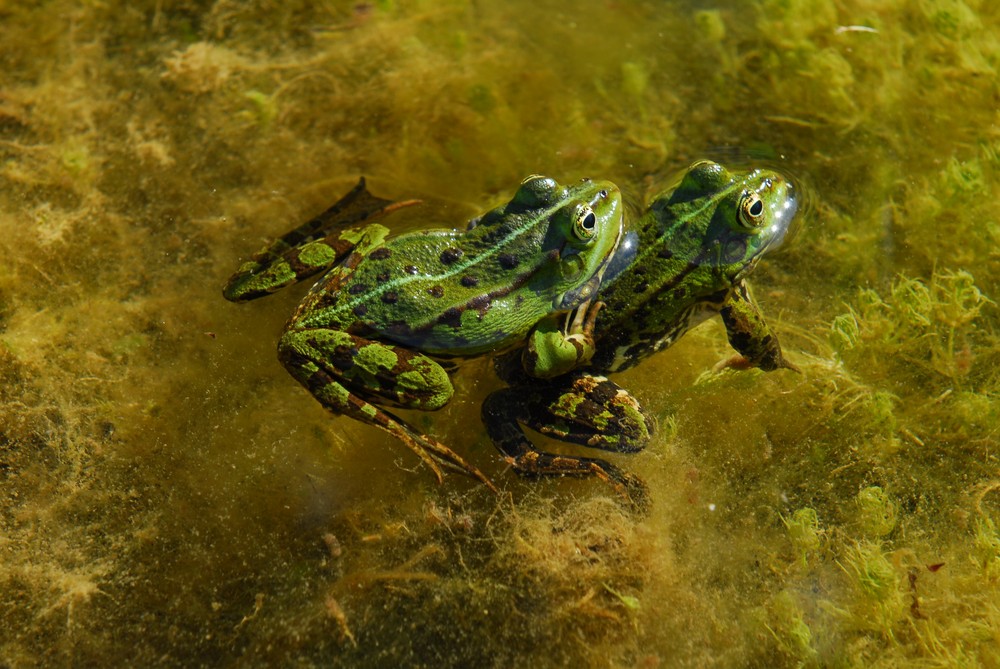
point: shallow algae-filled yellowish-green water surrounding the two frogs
(172, 497)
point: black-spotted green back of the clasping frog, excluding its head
(435, 290)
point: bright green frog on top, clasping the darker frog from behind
(384, 324)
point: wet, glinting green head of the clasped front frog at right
(737, 217)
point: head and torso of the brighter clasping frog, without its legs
(466, 293)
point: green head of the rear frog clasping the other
(585, 226)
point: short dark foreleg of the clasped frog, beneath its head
(749, 333)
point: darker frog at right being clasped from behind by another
(686, 258)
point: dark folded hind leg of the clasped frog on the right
(592, 411)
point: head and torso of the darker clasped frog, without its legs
(692, 250)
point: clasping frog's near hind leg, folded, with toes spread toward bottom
(344, 372)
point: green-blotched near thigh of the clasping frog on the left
(368, 369)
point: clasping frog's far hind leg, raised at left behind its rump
(314, 246)
